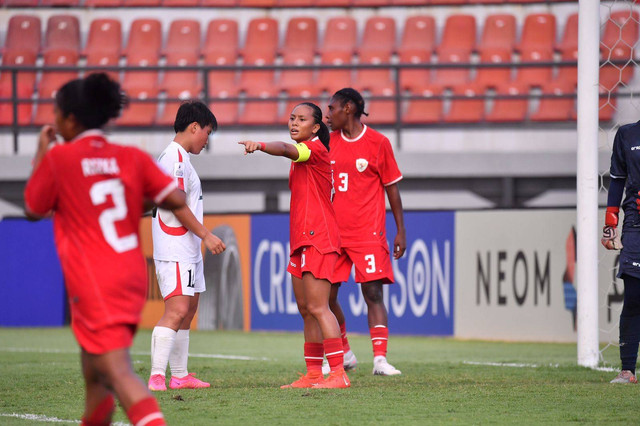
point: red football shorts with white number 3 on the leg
(373, 263)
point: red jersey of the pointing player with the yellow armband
(312, 220)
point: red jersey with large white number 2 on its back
(96, 190)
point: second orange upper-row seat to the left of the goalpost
(537, 45)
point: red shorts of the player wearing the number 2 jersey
(105, 339)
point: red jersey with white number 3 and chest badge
(362, 167)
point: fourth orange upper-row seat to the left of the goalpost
(458, 42)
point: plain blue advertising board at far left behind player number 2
(32, 284)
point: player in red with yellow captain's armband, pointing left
(315, 242)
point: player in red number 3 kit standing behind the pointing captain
(364, 168)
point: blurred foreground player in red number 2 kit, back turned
(97, 192)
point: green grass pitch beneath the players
(443, 381)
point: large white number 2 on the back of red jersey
(99, 192)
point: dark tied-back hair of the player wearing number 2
(93, 100)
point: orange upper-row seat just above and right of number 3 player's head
(377, 46)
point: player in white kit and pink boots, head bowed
(176, 251)
